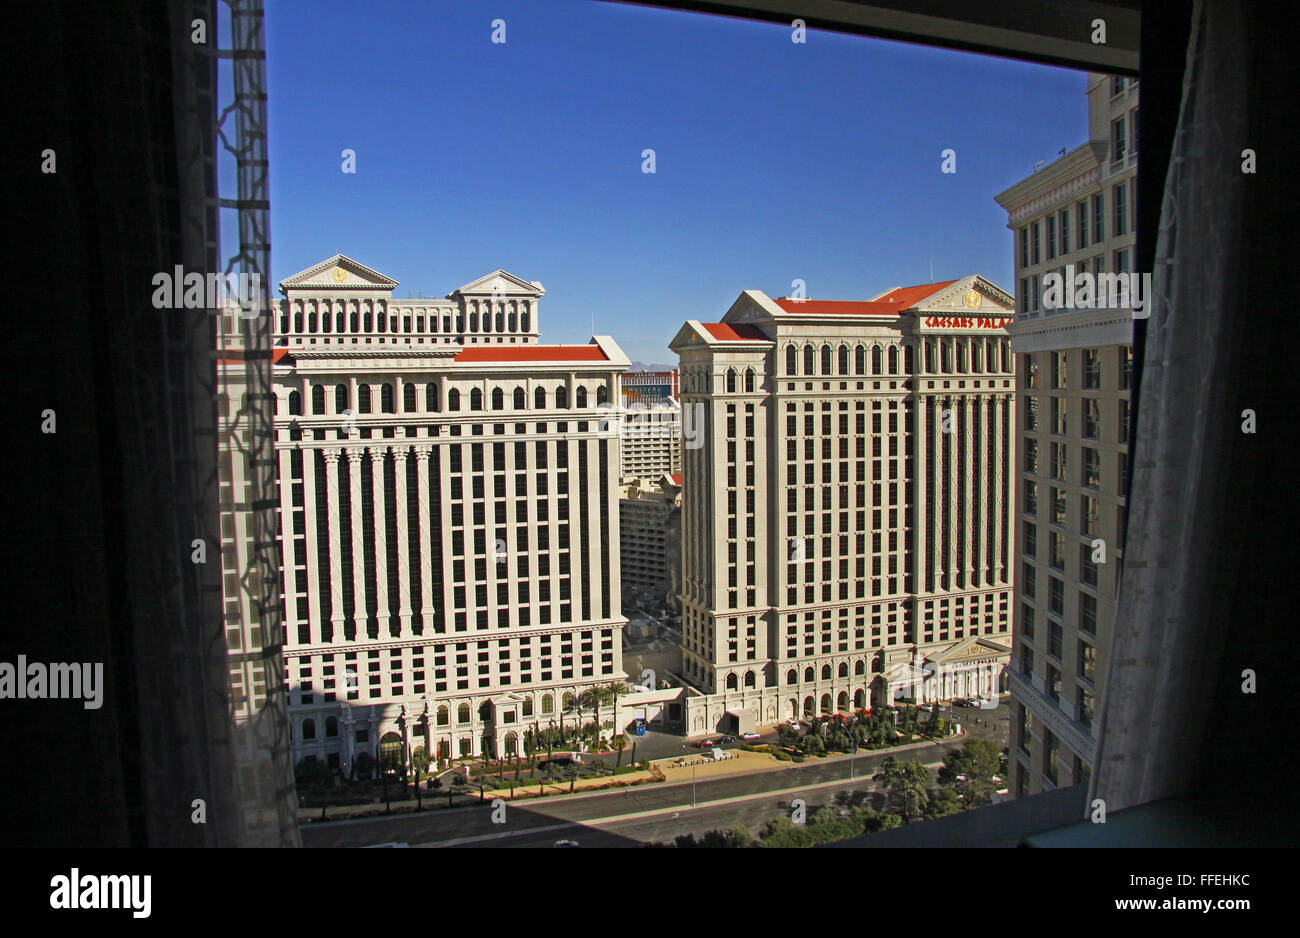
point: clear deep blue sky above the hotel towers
(775, 160)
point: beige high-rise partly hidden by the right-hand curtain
(1073, 218)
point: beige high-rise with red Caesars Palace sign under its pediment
(847, 519)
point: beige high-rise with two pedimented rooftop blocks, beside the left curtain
(449, 516)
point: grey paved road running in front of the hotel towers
(639, 815)
